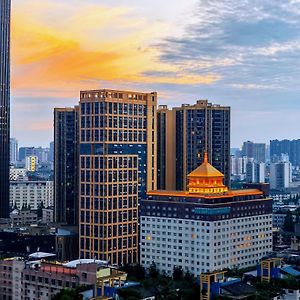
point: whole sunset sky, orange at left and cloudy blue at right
(245, 54)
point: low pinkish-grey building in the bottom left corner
(26, 280)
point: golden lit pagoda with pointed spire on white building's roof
(206, 179)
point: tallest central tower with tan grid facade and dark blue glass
(117, 167)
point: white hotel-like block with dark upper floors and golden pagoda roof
(206, 228)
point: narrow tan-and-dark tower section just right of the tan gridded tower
(166, 167)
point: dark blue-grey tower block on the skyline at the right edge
(292, 148)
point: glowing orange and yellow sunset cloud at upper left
(58, 48)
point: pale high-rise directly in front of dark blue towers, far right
(280, 175)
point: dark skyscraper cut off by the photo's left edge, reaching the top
(4, 106)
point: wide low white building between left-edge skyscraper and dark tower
(31, 193)
